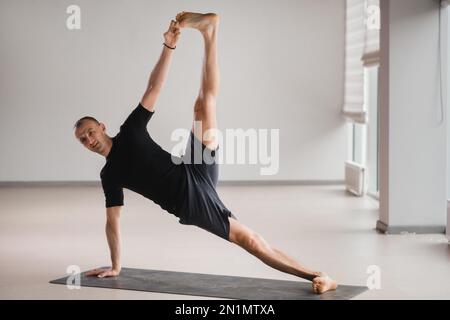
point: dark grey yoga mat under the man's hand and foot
(209, 285)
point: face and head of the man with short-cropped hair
(92, 135)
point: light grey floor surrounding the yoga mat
(44, 230)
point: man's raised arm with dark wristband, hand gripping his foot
(159, 74)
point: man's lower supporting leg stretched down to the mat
(257, 246)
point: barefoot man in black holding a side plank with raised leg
(187, 188)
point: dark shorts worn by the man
(203, 207)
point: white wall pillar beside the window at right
(413, 140)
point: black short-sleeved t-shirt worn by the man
(136, 162)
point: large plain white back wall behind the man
(281, 67)
